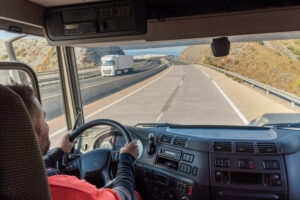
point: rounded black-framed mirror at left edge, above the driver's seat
(18, 73)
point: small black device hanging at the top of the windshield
(220, 47)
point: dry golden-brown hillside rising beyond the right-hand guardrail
(275, 63)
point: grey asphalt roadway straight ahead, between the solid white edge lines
(184, 95)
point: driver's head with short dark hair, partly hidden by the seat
(37, 114)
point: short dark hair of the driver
(27, 94)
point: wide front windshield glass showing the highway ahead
(258, 81)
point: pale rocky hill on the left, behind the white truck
(42, 58)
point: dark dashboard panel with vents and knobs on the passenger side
(247, 170)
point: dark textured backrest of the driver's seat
(22, 171)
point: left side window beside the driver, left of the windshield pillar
(36, 53)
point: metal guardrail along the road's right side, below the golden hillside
(293, 99)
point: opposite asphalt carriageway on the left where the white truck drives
(90, 89)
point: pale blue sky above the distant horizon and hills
(165, 50)
